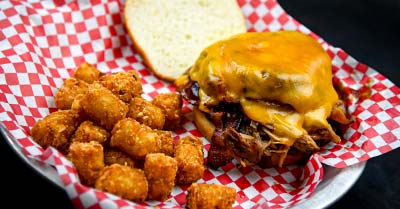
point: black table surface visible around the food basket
(366, 29)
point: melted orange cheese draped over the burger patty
(281, 79)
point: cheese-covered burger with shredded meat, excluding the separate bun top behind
(263, 97)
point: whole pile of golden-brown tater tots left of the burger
(122, 143)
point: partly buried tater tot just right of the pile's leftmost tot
(88, 131)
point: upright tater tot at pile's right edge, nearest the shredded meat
(189, 155)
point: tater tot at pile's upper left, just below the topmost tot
(66, 93)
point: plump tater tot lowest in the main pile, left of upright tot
(124, 181)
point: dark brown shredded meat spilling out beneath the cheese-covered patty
(249, 142)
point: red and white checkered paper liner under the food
(42, 42)
